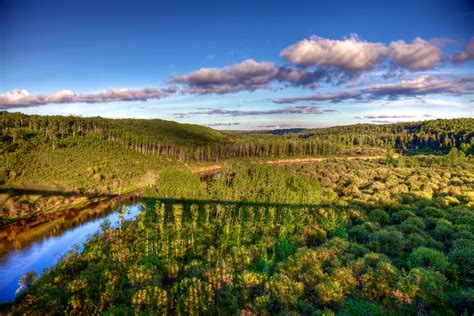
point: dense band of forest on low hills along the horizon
(189, 142)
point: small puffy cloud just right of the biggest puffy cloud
(417, 55)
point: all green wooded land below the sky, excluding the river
(379, 222)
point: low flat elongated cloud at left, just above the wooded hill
(22, 98)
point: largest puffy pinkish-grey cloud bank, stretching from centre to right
(312, 61)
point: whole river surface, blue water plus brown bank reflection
(34, 246)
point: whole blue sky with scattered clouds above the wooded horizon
(239, 64)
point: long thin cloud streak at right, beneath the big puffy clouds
(422, 85)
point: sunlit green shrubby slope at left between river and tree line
(86, 168)
